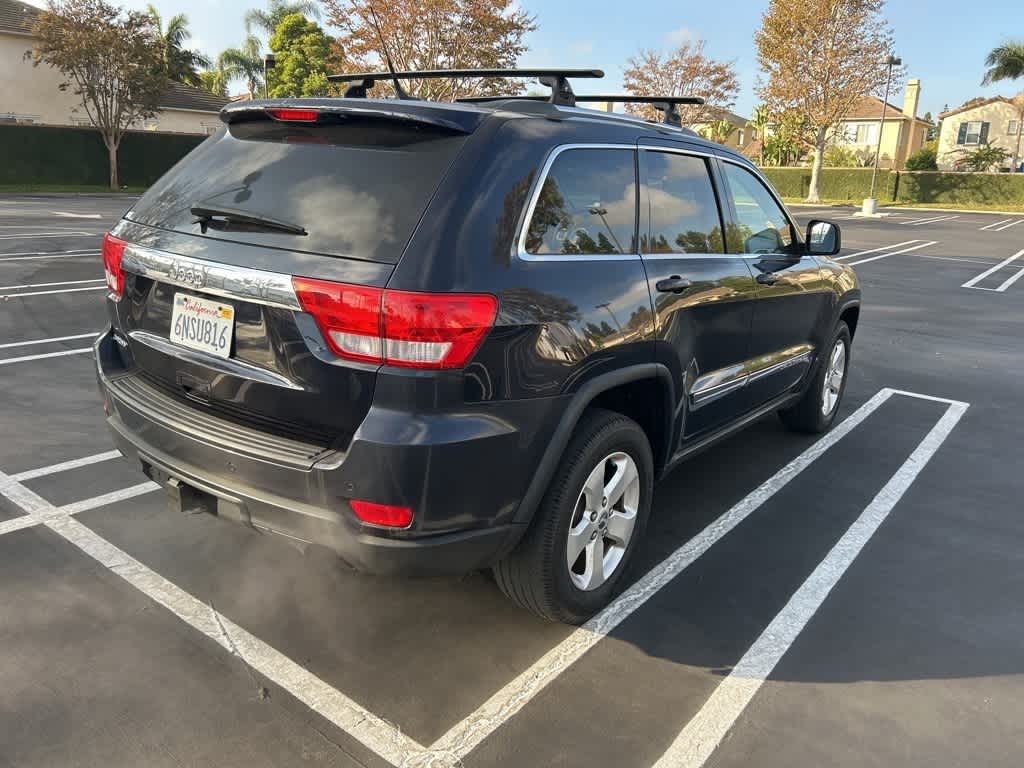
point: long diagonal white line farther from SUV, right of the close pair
(705, 733)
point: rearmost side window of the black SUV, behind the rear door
(587, 205)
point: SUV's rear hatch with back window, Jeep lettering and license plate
(318, 190)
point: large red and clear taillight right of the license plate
(399, 328)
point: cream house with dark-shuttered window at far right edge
(996, 121)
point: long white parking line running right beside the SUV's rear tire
(466, 736)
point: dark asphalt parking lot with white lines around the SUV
(848, 602)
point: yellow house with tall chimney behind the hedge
(903, 132)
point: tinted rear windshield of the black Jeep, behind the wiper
(358, 189)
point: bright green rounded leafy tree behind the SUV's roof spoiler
(303, 55)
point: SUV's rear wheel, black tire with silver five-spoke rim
(606, 450)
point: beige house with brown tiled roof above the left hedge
(31, 95)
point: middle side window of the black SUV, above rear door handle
(679, 208)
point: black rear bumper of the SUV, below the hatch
(463, 475)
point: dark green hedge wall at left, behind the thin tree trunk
(45, 155)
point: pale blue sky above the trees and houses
(942, 42)
